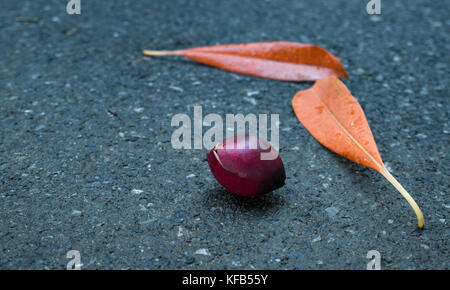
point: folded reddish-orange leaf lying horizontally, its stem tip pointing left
(281, 60)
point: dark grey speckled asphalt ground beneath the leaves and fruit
(86, 161)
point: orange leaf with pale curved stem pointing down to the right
(335, 118)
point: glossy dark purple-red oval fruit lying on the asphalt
(239, 168)
